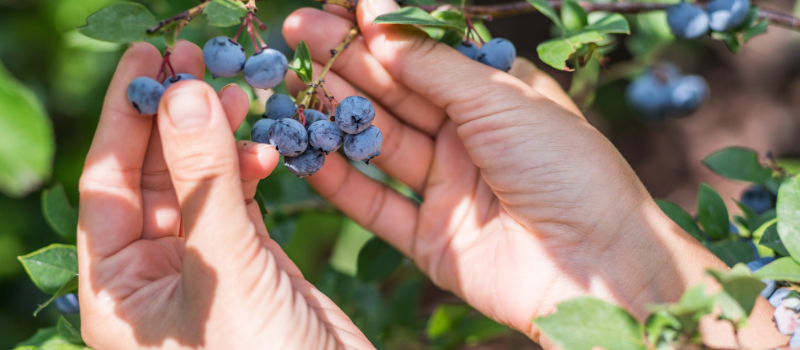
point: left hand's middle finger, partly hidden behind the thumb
(161, 211)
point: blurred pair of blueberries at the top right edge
(689, 21)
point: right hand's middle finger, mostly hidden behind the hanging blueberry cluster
(406, 152)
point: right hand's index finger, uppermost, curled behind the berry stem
(323, 31)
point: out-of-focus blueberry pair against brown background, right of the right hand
(663, 91)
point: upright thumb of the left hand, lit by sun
(203, 162)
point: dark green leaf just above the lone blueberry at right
(738, 163)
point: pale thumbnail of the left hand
(188, 109)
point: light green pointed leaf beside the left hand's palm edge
(51, 267)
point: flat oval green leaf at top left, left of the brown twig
(124, 22)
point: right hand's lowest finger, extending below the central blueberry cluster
(369, 203)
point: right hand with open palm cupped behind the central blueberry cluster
(525, 203)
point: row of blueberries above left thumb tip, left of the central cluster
(224, 57)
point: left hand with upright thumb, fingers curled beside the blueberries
(173, 252)
